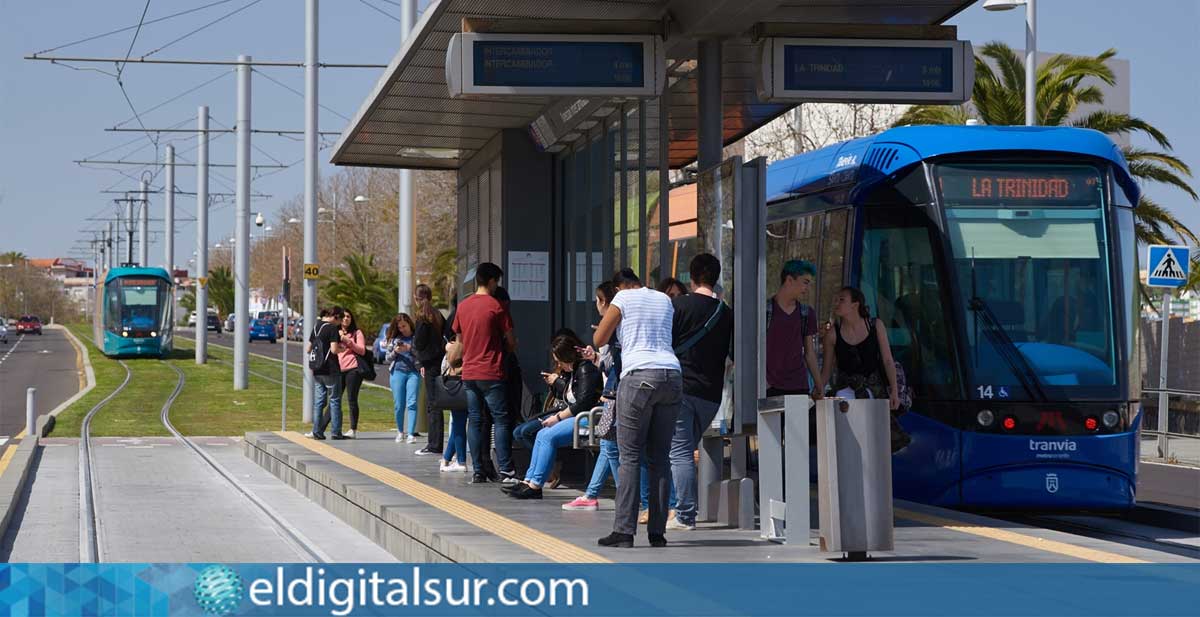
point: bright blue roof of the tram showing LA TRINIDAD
(869, 160)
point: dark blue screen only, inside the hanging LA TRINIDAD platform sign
(869, 69)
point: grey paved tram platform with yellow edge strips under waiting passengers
(404, 504)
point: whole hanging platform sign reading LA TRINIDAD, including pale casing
(881, 71)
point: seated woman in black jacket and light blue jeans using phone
(577, 382)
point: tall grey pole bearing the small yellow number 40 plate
(310, 190)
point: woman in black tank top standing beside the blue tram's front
(859, 346)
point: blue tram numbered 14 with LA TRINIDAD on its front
(1004, 263)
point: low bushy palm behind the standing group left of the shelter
(363, 289)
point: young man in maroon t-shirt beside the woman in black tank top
(791, 326)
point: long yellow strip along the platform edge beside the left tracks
(517, 534)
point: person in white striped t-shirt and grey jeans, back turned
(647, 402)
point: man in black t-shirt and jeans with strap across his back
(703, 331)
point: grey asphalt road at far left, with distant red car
(47, 363)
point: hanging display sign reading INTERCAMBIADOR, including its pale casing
(557, 65)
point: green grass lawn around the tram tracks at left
(208, 405)
